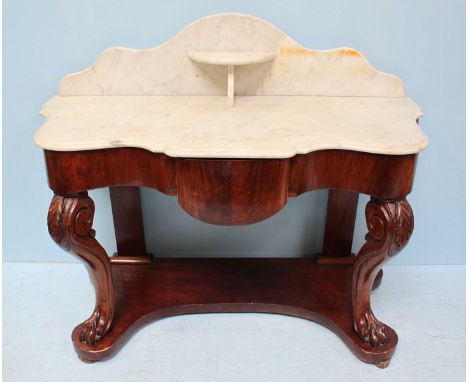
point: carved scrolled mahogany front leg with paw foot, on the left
(70, 221)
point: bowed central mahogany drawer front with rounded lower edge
(232, 192)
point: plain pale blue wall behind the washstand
(422, 41)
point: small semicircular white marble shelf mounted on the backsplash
(231, 58)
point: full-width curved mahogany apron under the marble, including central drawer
(196, 180)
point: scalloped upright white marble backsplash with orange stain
(167, 69)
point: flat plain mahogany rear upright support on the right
(339, 225)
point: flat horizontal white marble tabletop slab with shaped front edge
(257, 127)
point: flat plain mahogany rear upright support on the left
(128, 221)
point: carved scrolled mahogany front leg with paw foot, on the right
(390, 224)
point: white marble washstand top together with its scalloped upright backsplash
(311, 100)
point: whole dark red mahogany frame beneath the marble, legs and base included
(334, 290)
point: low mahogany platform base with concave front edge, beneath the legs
(295, 287)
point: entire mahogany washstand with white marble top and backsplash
(295, 120)
